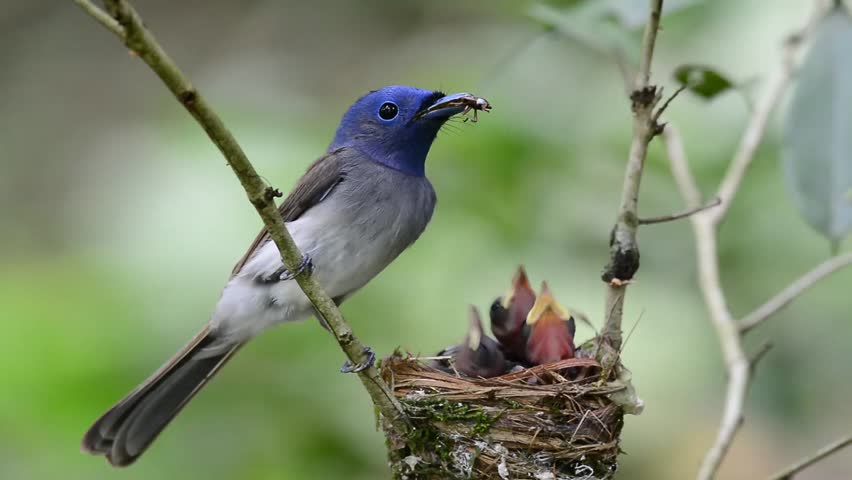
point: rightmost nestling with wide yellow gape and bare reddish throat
(552, 330)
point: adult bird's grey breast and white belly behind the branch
(362, 224)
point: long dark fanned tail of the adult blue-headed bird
(124, 432)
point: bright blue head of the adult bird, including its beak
(396, 125)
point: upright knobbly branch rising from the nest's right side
(624, 250)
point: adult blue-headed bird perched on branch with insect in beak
(351, 214)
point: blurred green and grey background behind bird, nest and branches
(119, 223)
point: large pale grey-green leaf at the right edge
(817, 153)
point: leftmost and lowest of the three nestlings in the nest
(479, 355)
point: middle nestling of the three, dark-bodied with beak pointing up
(509, 314)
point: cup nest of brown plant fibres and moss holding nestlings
(533, 424)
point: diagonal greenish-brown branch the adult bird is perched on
(122, 20)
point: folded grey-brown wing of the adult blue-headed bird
(314, 186)
